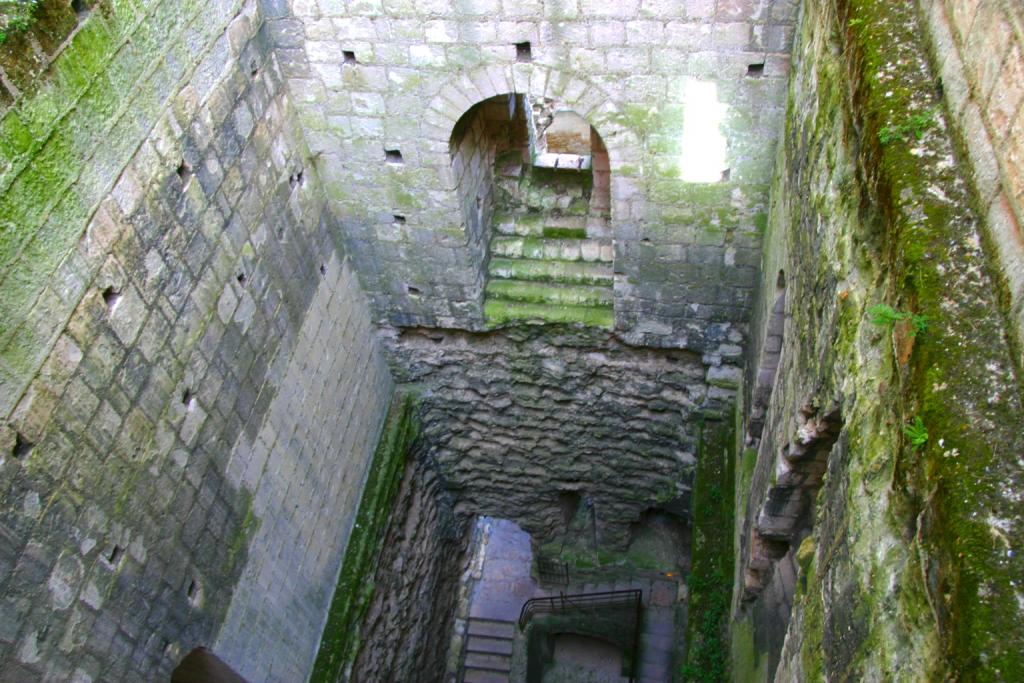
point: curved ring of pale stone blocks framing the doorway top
(565, 90)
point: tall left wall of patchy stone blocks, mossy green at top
(188, 242)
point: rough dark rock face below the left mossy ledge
(406, 631)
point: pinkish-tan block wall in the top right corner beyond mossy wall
(978, 50)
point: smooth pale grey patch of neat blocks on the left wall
(307, 469)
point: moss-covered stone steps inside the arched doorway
(546, 269)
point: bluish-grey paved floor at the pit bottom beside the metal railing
(505, 584)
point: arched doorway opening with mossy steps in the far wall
(534, 188)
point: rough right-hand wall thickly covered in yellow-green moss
(912, 570)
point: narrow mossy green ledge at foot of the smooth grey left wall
(340, 643)
